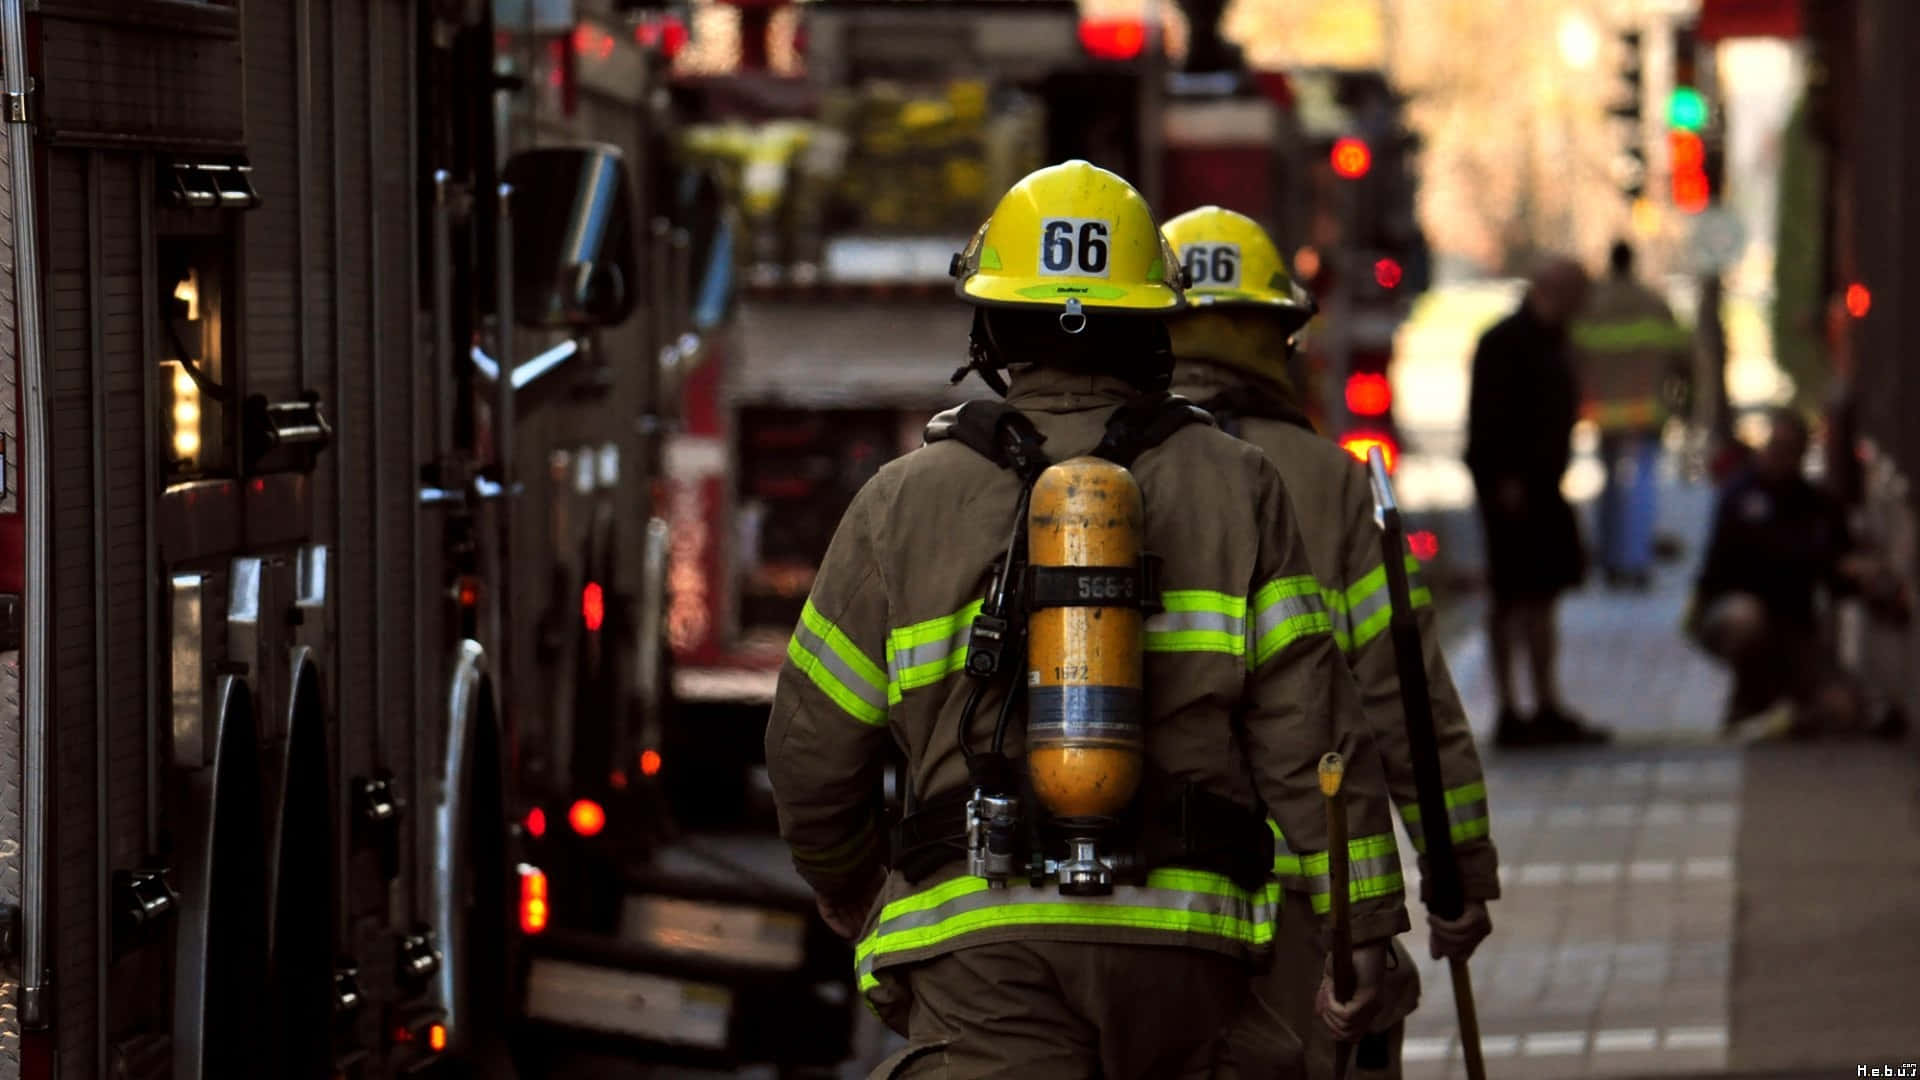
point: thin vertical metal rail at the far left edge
(36, 1006)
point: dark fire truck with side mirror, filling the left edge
(327, 435)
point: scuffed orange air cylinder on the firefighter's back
(1086, 733)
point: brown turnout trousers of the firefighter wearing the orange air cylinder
(1068, 1012)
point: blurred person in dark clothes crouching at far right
(1777, 539)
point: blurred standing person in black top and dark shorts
(1520, 443)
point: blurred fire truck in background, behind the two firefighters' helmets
(859, 182)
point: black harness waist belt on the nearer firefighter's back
(1182, 827)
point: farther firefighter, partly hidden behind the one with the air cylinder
(1232, 351)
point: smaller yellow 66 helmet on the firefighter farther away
(1234, 264)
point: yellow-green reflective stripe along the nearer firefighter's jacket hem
(1178, 902)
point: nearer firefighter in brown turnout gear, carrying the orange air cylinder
(903, 649)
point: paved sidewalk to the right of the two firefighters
(1675, 904)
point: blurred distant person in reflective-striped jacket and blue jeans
(1629, 351)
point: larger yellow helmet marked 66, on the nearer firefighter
(1072, 237)
